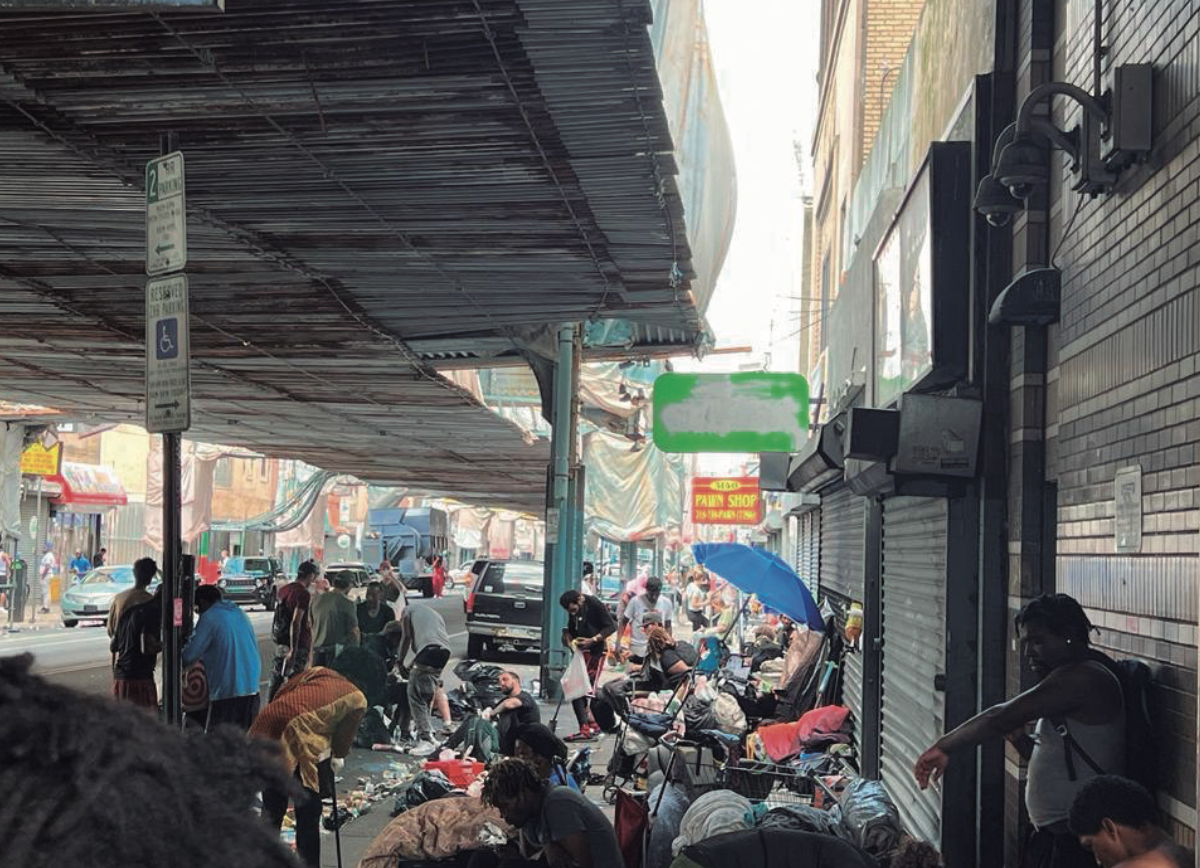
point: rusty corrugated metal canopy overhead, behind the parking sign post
(363, 178)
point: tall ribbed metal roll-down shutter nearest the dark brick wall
(914, 632)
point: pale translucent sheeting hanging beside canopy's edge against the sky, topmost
(704, 149)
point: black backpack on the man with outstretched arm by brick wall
(1142, 755)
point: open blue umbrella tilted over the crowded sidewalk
(759, 572)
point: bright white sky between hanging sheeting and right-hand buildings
(766, 57)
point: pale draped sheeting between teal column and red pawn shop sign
(637, 495)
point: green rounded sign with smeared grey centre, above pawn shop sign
(757, 412)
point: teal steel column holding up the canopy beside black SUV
(561, 549)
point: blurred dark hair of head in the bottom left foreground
(91, 782)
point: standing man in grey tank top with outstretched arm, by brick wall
(1076, 687)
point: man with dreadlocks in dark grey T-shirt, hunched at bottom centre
(571, 829)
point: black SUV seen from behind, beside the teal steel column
(505, 607)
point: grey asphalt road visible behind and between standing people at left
(80, 659)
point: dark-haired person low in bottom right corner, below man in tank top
(1117, 822)
